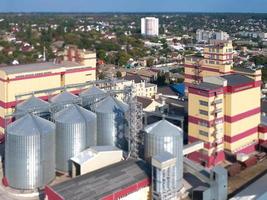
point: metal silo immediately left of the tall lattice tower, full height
(111, 122)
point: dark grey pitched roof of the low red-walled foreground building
(103, 182)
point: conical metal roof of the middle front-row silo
(74, 114)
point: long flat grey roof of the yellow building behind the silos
(15, 69)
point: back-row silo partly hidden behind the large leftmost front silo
(35, 106)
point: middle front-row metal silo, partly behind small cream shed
(75, 131)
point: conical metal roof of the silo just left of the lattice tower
(109, 104)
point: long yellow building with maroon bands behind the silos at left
(78, 66)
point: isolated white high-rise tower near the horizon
(150, 26)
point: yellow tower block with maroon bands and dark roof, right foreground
(224, 112)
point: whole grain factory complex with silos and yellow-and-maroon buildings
(70, 136)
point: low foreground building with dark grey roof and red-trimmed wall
(123, 180)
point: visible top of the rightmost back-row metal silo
(91, 96)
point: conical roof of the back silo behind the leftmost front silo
(31, 103)
